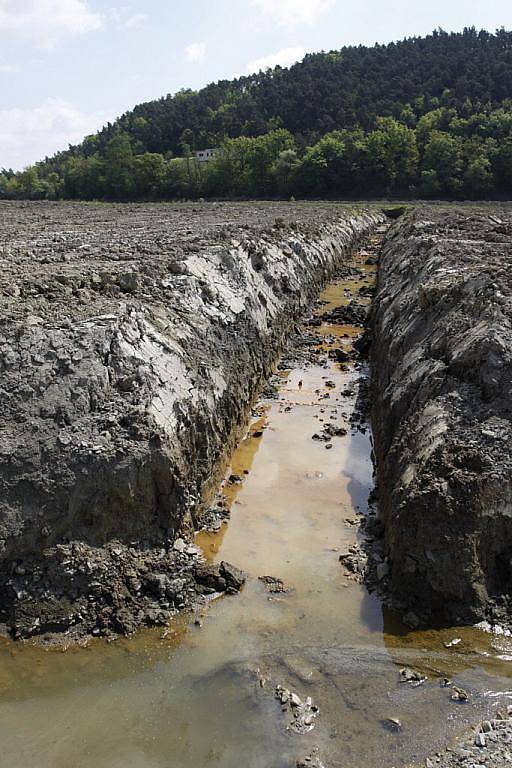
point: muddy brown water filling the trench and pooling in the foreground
(202, 694)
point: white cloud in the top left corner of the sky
(44, 21)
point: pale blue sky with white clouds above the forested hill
(69, 66)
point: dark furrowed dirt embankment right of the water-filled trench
(442, 406)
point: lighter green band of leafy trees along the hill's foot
(439, 154)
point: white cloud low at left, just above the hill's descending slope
(29, 134)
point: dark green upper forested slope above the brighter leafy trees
(331, 90)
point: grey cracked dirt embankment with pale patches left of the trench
(132, 341)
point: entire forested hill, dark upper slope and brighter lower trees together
(424, 116)
